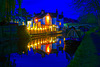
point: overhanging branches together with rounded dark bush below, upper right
(87, 7)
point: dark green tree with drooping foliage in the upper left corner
(7, 8)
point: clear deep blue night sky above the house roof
(50, 6)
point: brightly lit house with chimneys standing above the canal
(47, 21)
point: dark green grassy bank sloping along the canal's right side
(87, 53)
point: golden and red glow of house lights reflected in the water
(39, 42)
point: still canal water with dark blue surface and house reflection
(41, 51)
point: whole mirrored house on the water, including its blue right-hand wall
(46, 45)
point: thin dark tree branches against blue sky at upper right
(88, 7)
